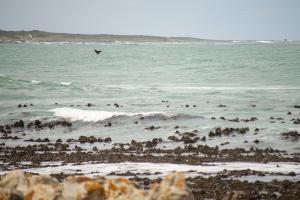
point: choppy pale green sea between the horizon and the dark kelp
(140, 76)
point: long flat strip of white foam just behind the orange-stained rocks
(165, 168)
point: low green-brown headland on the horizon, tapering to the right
(42, 36)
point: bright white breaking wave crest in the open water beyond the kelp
(91, 115)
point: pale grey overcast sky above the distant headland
(209, 19)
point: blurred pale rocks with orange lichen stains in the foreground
(18, 185)
